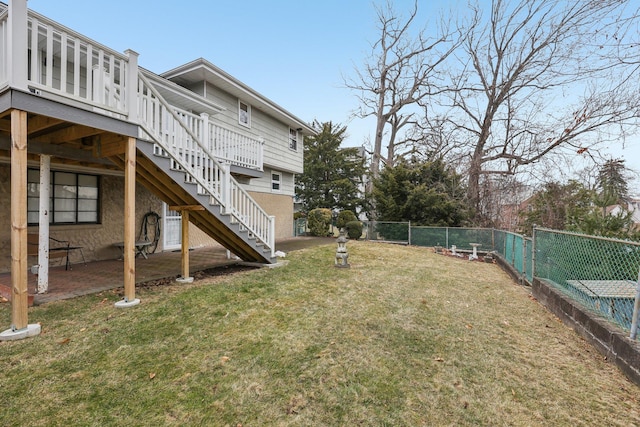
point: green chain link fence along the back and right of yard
(600, 274)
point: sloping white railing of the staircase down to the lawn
(178, 135)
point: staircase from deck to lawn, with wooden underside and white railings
(175, 161)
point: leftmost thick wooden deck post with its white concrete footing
(19, 291)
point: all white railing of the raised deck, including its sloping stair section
(65, 64)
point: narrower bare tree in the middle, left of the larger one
(401, 71)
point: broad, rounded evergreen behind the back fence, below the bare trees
(425, 193)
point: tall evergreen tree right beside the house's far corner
(332, 175)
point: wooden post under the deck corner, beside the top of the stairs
(129, 251)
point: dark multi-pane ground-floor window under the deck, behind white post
(74, 198)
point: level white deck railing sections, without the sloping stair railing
(67, 64)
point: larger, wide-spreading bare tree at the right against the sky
(538, 77)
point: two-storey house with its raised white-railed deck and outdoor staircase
(118, 141)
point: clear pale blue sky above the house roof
(293, 52)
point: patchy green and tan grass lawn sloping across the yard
(403, 337)
